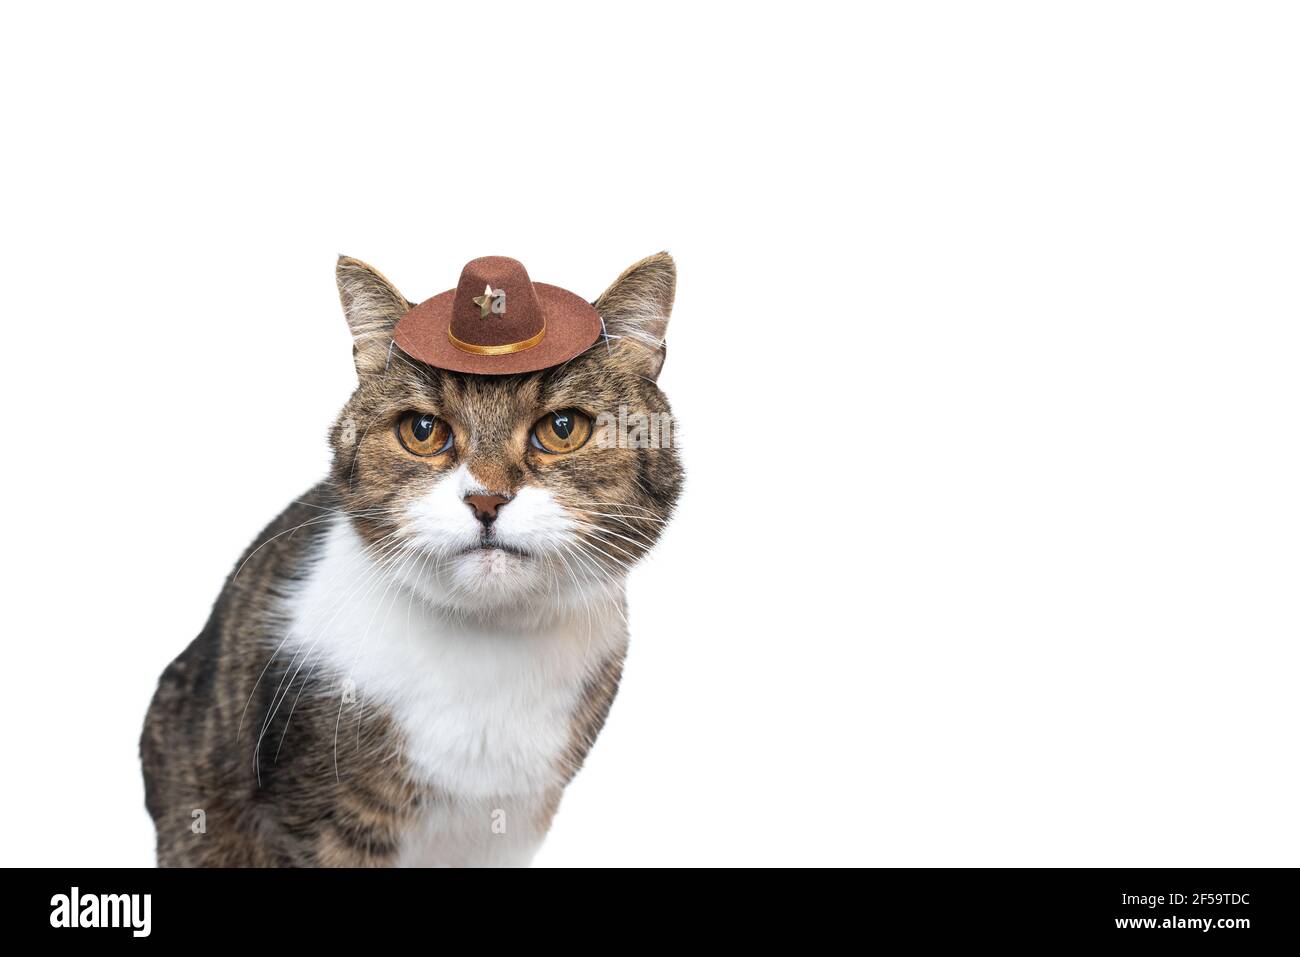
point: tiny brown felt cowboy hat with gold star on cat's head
(497, 322)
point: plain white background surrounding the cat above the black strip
(986, 356)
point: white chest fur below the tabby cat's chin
(486, 713)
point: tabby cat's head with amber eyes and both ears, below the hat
(527, 492)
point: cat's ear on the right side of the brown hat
(636, 311)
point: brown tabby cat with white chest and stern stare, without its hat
(410, 664)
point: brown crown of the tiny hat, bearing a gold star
(496, 305)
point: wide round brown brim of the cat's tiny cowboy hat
(573, 327)
